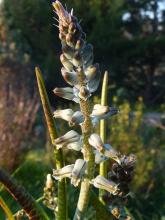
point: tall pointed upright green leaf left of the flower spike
(62, 202)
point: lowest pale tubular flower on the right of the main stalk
(102, 183)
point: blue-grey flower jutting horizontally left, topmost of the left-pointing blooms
(67, 93)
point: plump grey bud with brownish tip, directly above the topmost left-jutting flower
(70, 77)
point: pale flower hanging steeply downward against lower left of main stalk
(78, 171)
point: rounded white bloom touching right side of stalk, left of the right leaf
(96, 142)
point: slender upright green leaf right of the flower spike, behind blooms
(104, 96)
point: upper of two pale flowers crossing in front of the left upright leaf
(70, 137)
